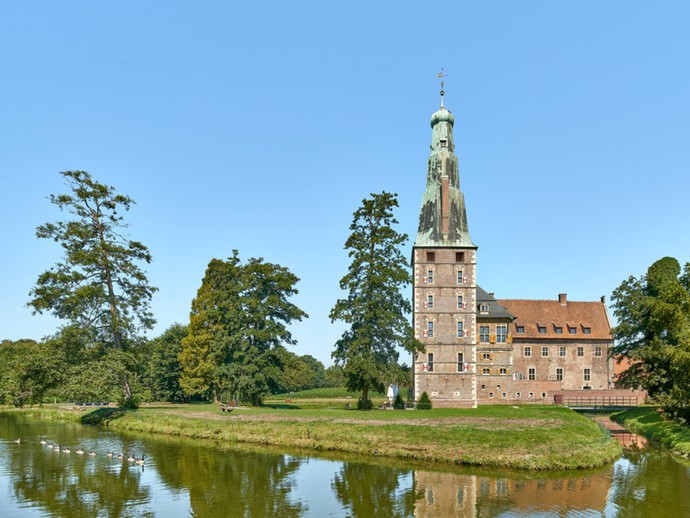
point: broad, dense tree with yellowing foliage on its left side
(237, 324)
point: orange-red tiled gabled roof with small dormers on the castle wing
(562, 313)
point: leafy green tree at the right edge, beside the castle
(653, 331)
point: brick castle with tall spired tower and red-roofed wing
(480, 349)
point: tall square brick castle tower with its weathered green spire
(445, 286)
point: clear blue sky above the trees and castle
(261, 126)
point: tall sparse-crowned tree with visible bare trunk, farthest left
(98, 284)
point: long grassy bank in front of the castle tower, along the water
(525, 437)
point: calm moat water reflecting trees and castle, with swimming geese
(185, 478)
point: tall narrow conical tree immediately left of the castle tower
(374, 308)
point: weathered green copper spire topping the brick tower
(442, 219)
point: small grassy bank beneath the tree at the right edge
(648, 421)
